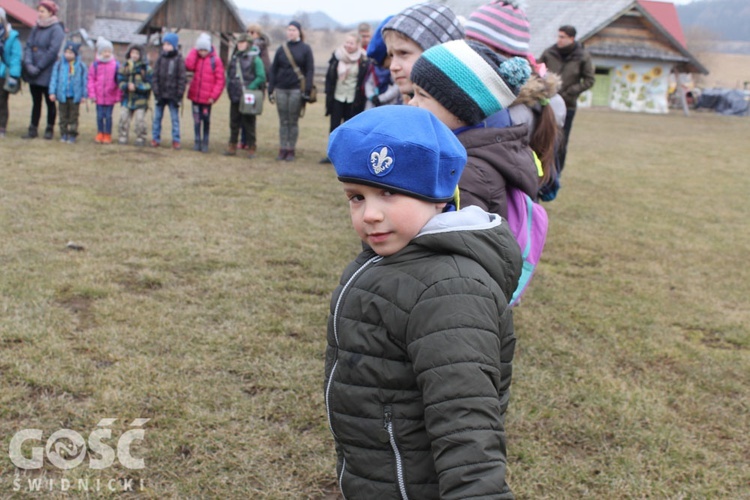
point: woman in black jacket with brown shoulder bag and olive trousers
(285, 86)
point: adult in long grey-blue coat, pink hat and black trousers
(40, 54)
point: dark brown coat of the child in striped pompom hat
(497, 157)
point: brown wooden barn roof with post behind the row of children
(218, 17)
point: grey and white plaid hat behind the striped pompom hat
(428, 24)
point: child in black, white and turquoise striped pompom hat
(462, 84)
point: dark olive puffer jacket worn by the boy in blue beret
(418, 363)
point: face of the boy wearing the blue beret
(387, 221)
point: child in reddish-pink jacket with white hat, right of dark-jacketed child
(206, 86)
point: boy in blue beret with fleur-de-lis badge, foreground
(420, 335)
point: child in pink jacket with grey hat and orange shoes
(103, 89)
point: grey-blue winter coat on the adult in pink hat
(40, 54)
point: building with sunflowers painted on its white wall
(635, 46)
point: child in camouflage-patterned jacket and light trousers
(134, 80)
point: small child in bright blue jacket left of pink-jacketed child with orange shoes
(67, 86)
